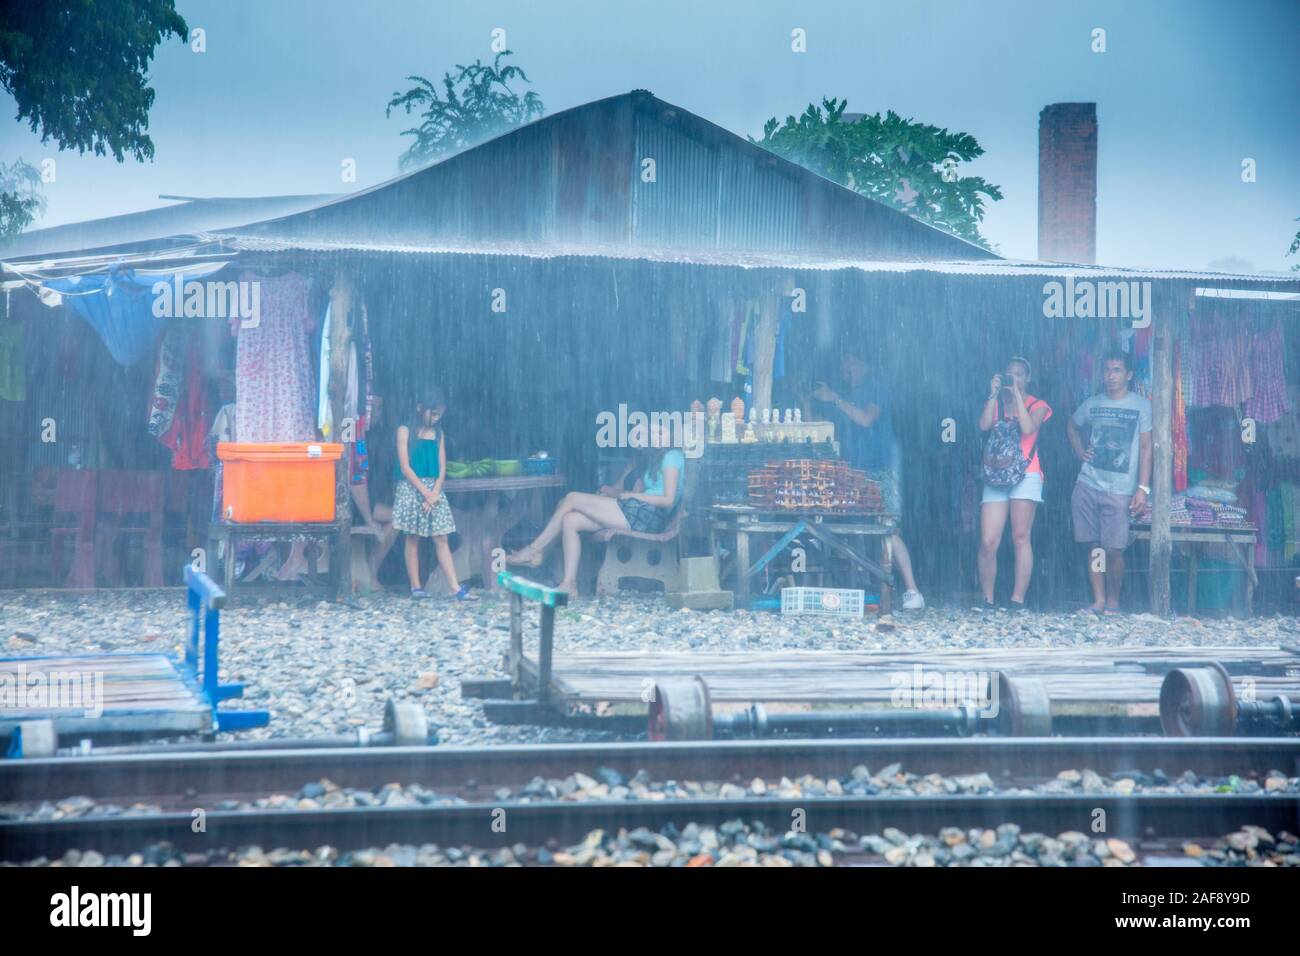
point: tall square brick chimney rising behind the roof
(1068, 183)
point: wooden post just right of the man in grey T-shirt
(1163, 456)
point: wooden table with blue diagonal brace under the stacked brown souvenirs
(744, 521)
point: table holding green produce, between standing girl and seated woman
(486, 509)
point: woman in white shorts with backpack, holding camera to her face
(1013, 477)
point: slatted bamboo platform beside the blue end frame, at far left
(102, 695)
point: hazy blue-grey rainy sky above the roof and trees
(1185, 93)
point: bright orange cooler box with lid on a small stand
(289, 482)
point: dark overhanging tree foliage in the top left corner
(77, 70)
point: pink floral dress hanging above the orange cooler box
(274, 365)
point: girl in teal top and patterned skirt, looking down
(419, 508)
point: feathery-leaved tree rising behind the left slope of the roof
(479, 105)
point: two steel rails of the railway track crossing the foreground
(179, 782)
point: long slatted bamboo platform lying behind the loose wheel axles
(1081, 682)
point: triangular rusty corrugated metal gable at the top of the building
(579, 176)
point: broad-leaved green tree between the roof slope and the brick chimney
(900, 163)
